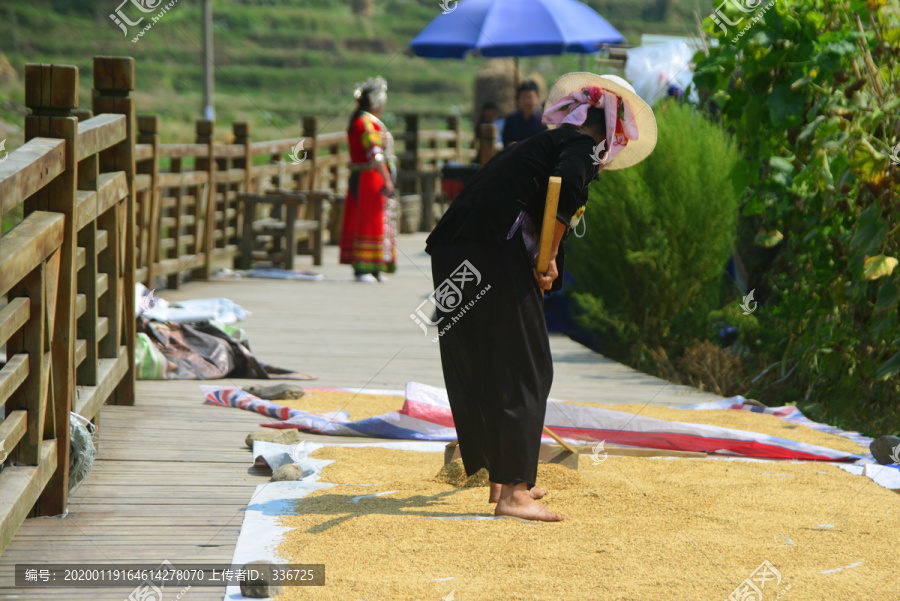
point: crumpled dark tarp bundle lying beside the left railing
(202, 351)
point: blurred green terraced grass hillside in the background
(276, 60)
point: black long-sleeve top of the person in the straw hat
(517, 179)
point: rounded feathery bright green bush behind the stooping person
(659, 234)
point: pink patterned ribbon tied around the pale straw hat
(573, 109)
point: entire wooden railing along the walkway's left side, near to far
(105, 206)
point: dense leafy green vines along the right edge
(811, 93)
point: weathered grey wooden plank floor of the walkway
(173, 476)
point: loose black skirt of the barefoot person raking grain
(495, 354)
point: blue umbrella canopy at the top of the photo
(496, 28)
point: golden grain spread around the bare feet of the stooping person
(641, 528)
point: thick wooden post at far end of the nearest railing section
(113, 84)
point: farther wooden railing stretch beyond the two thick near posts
(180, 231)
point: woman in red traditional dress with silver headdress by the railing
(368, 237)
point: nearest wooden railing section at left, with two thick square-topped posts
(67, 274)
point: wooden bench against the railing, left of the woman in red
(292, 215)
